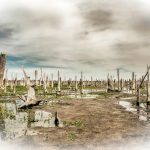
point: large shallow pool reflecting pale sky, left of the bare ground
(14, 124)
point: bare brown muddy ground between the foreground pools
(87, 122)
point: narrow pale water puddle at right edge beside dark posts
(142, 111)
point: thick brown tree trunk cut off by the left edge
(2, 68)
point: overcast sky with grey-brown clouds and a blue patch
(95, 36)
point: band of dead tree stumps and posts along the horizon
(132, 85)
